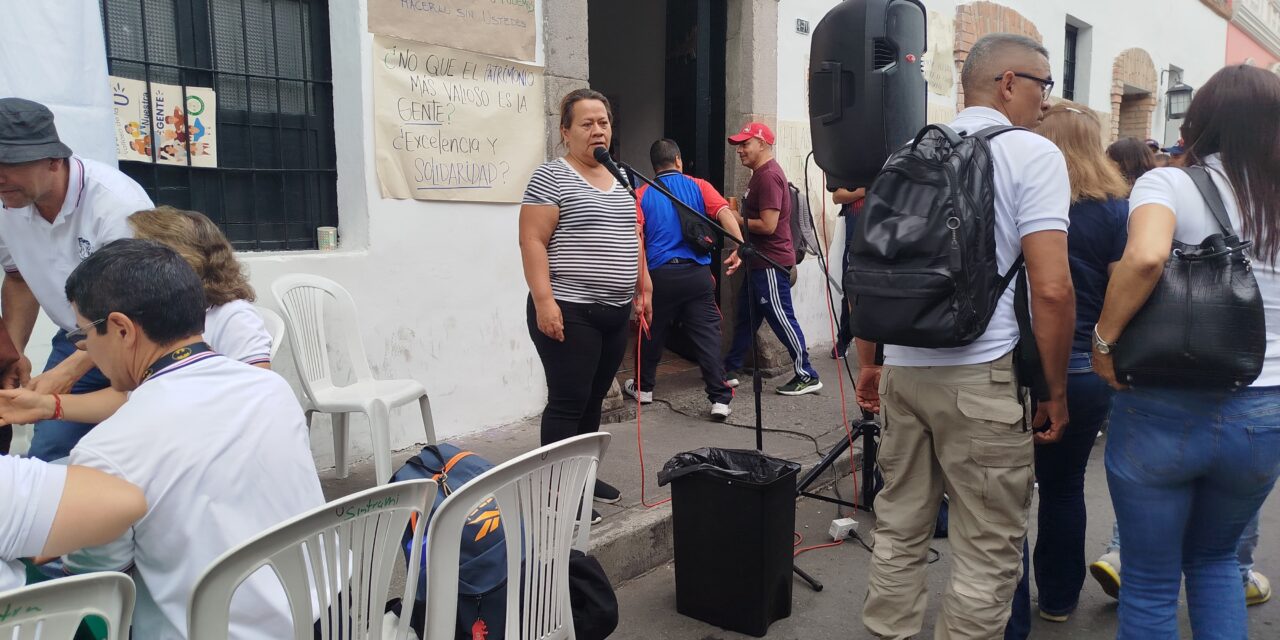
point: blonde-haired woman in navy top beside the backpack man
(1095, 244)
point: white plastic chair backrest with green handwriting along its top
(336, 564)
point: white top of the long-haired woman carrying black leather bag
(1173, 189)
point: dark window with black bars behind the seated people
(268, 62)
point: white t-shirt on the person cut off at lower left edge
(30, 497)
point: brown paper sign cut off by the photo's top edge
(506, 29)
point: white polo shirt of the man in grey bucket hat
(99, 203)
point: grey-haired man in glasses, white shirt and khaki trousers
(954, 418)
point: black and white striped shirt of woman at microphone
(595, 253)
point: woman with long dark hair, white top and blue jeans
(1188, 469)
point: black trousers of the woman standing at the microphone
(579, 371)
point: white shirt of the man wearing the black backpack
(1034, 195)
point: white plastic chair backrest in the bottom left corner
(54, 610)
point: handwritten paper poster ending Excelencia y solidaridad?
(452, 125)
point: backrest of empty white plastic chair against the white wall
(303, 298)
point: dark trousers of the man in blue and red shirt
(685, 294)
